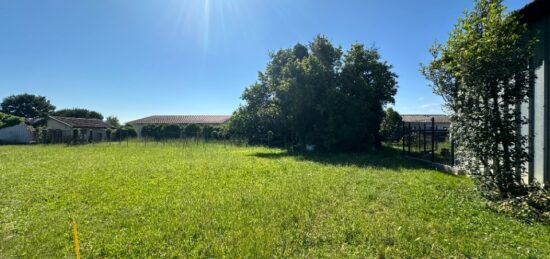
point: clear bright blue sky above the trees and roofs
(134, 58)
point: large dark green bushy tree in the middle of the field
(317, 95)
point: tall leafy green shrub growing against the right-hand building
(482, 72)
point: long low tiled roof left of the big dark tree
(183, 119)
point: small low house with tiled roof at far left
(61, 129)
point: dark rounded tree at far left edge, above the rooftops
(27, 106)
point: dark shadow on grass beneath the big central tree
(387, 158)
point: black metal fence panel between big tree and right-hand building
(428, 142)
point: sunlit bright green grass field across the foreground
(213, 201)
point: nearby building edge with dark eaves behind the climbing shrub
(537, 17)
